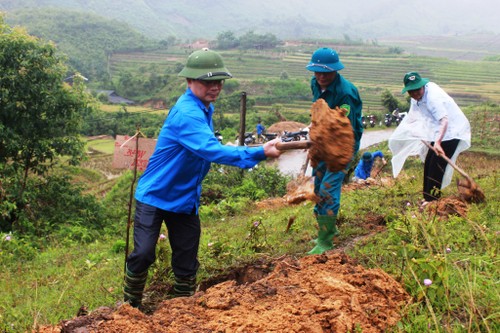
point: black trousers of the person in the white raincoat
(434, 168)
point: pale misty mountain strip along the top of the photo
(287, 19)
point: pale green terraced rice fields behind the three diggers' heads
(469, 82)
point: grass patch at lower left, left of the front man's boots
(54, 284)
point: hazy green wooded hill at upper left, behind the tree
(86, 39)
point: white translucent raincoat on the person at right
(422, 123)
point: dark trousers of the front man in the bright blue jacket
(183, 234)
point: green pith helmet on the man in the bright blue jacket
(205, 65)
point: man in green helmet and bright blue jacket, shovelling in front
(169, 190)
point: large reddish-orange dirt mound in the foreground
(327, 293)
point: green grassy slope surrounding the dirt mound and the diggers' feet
(463, 297)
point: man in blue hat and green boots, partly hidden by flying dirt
(329, 85)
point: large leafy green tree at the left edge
(41, 116)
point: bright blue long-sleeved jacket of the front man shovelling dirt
(184, 151)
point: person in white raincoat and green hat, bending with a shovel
(436, 118)
